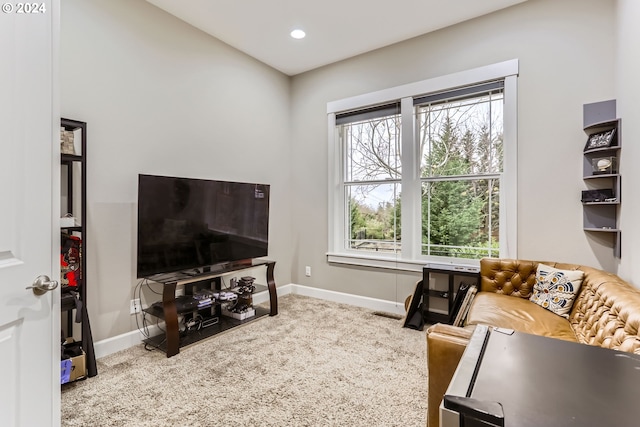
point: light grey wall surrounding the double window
(566, 51)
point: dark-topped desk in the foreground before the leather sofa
(547, 382)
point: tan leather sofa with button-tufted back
(605, 313)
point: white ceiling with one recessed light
(336, 29)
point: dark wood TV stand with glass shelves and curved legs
(171, 341)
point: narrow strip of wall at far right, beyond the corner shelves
(628, 95)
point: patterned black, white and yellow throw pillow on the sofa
(556, 289)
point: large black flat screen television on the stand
(189, 224)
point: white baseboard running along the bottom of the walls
(112, 345)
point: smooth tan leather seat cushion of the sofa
(510, 312)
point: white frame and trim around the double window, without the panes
(410, 257)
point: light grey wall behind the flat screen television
(161, 97)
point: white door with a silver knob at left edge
(29, 120)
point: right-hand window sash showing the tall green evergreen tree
(461, 145)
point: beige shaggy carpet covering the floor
(317, 363)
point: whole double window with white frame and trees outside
(425, 171)
